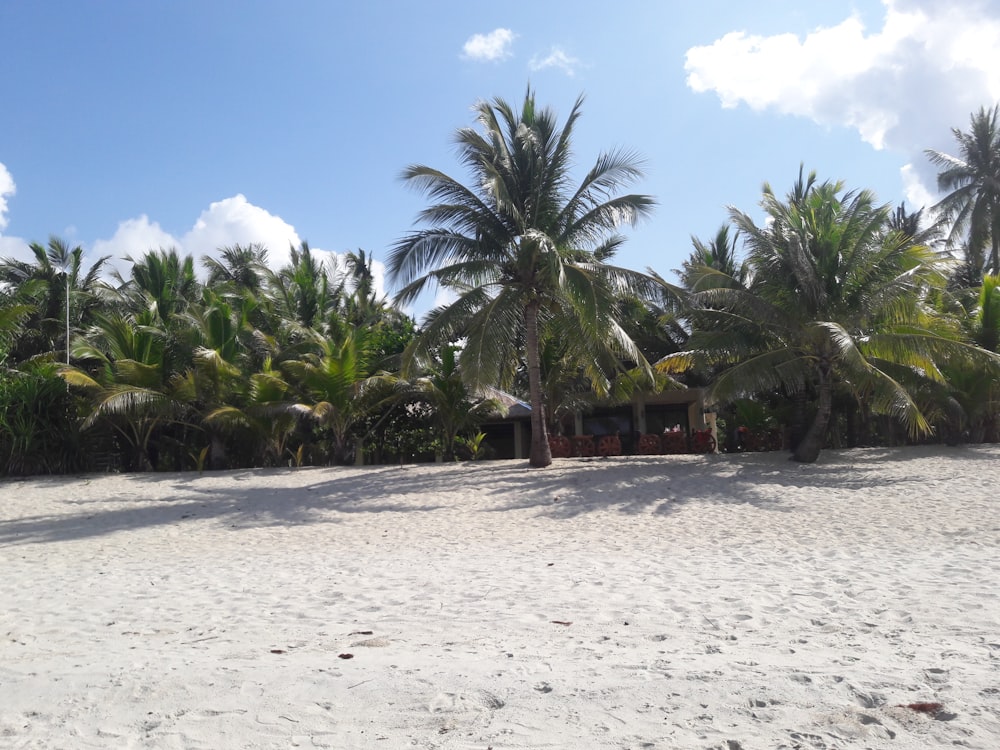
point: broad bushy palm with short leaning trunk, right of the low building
(836, 299)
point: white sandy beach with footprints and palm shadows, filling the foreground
(726, 602)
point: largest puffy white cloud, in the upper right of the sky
(902, 86)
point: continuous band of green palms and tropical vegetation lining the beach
(834, 321)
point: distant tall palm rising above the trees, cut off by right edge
(972, 182)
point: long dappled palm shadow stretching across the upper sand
(572, 487)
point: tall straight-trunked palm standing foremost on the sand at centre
(521, 250)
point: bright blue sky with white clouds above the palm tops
(127, 126)
